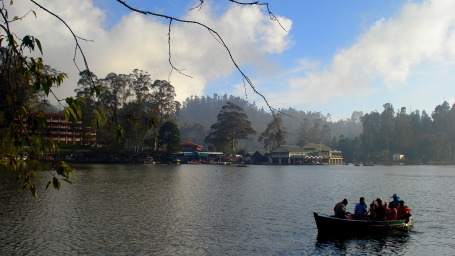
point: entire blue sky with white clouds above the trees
(334, 56)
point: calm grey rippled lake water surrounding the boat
(222, 210)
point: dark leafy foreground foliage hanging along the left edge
(24, 80)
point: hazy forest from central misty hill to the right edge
(374, 136)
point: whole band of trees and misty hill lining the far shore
(146, 116)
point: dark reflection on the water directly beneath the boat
(380, 244)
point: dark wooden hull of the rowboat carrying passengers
(331, 224)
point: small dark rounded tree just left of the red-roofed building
(169, 138)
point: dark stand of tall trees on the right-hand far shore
(416, 135)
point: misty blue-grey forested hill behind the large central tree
(199, 113)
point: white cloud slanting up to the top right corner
(385, 54)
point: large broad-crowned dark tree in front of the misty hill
(232, 125)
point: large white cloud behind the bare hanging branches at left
(139, 41)
